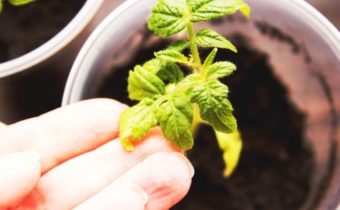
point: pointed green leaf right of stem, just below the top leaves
(208, 38)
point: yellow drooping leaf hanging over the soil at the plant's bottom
(231, 145)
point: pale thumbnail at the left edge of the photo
(19, 160)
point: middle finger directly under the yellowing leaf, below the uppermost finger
(76, 180)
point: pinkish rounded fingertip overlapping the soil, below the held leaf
(165, 177)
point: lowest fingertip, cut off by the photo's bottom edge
(126, 196)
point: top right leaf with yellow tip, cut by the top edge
(204, 10)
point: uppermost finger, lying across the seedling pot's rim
(64, 133)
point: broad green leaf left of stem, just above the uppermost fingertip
(143, 84)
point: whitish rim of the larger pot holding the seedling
(314, 17)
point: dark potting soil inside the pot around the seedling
(276, 164)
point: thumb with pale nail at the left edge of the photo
(19, 173)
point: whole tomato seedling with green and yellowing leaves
(179, 102)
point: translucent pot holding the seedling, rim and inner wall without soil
(302, 46)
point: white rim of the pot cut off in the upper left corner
(55, 44)
